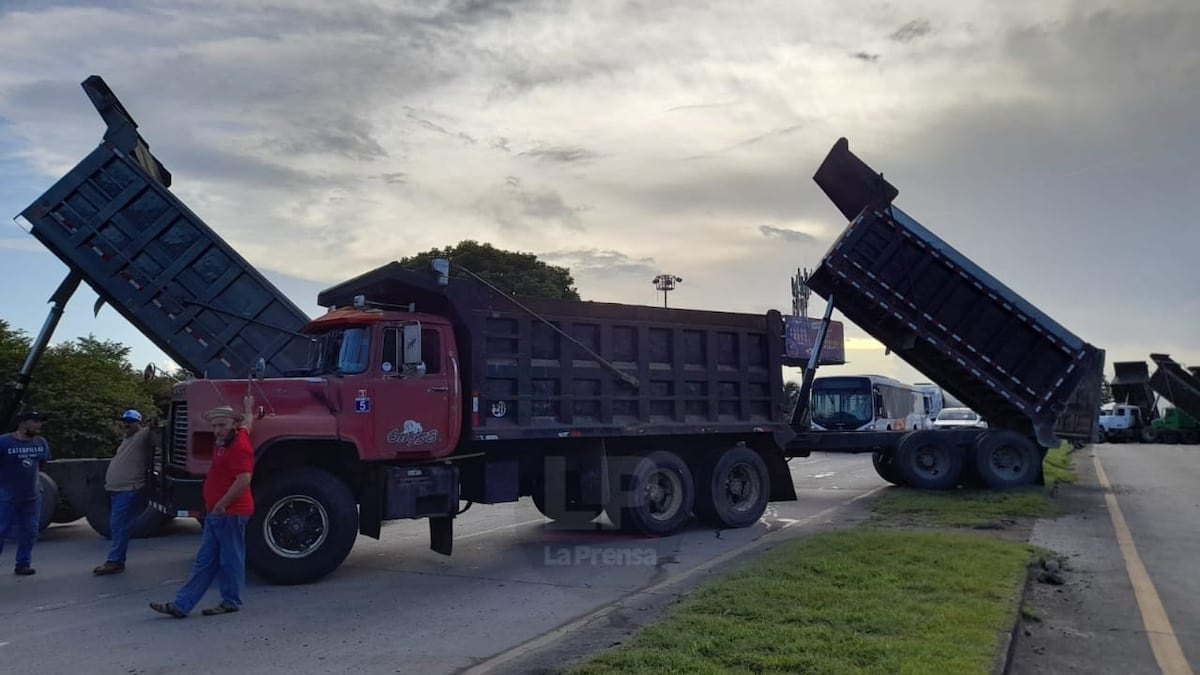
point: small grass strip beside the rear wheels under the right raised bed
(967, 509)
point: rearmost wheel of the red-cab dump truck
(733, 488)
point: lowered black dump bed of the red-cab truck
(553, 368)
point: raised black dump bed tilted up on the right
(951, 320)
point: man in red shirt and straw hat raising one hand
(230, 505)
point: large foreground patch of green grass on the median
(859, 601)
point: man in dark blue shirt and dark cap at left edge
(22, 456)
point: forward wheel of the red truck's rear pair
(653, 494)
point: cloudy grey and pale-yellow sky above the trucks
(1054, 142)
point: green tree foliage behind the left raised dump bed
(83, 386)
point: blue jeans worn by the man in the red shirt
(223, 557)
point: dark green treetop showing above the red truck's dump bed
(517, 274)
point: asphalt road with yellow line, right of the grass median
(1096, 622)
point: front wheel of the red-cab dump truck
(304, 527)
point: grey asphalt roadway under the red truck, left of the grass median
(394, 606)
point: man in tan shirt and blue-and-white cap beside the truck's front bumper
(124, 481)
